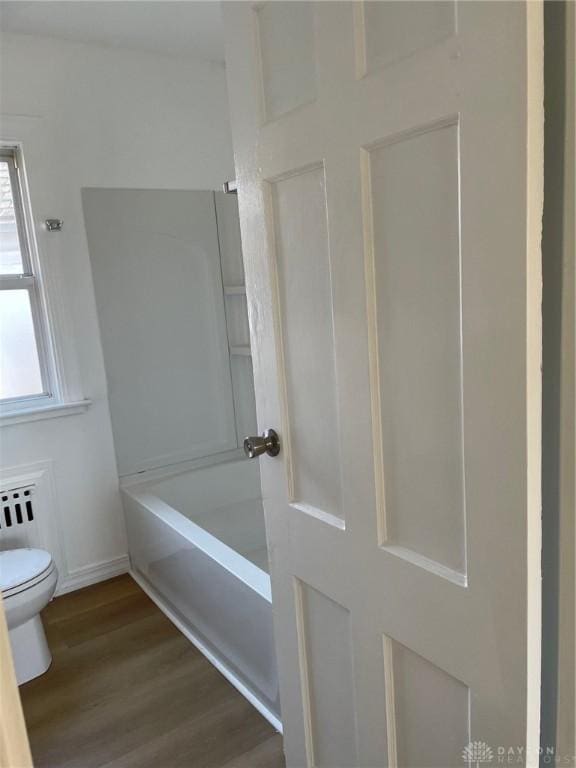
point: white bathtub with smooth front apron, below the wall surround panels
(197, 546)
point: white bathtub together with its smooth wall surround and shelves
(169, 285)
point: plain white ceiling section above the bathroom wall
(181, 28)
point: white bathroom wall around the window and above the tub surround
(91, 116)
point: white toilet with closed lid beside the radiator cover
(27, 579)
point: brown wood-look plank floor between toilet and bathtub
(127, 690)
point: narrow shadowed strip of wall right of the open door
(558, 436)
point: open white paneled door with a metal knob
(389, 164)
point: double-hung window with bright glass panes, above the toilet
(25, 373)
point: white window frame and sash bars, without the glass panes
(30, 280)
